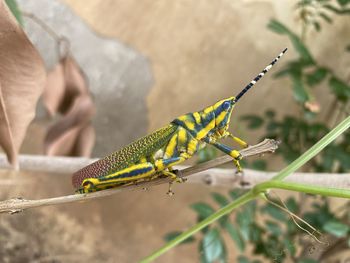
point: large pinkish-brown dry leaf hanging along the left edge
(22, 78)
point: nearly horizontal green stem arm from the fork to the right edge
(309, 189)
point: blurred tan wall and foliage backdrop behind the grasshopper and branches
(146, 62)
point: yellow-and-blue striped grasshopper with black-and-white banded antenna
(154, 155)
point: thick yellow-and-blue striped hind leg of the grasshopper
(128, 175)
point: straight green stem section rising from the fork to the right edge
(315, 149)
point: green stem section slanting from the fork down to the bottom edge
(223, 211)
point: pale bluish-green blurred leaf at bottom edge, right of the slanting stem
(213, 246)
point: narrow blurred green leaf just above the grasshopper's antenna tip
(279, 28)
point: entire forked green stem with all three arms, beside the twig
(274, 183)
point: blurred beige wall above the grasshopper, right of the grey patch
(202, 51)
